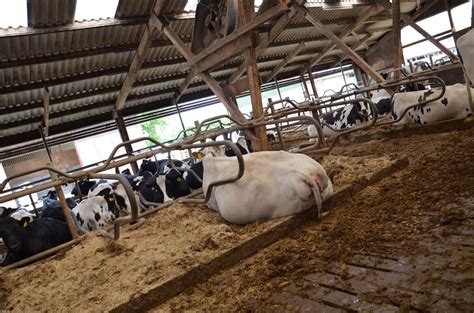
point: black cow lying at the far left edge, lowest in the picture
(40, 235)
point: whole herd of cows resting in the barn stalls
(274, 184)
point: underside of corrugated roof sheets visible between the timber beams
(85, 63)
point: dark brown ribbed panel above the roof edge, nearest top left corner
(46, 13)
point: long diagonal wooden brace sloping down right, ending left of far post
(340, 44)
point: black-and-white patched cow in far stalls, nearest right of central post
(349, 116)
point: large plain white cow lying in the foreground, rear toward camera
(274, 184)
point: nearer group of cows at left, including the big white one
(297, 188)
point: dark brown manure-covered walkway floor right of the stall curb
(403, 244)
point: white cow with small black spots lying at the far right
(454, 105)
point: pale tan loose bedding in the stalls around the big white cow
(97, 274)
